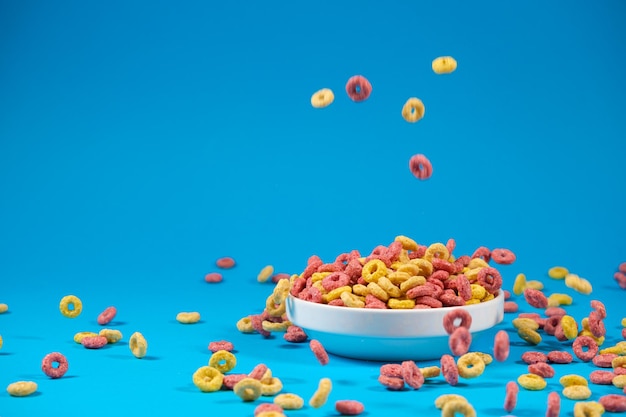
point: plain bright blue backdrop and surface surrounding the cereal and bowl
(141, 141)
